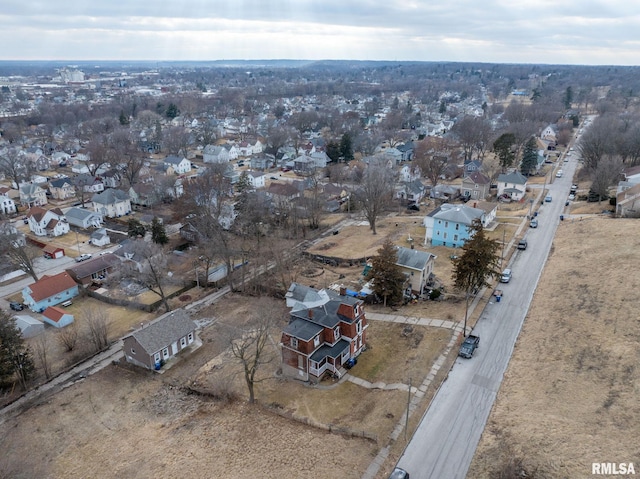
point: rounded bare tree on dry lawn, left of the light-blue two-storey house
(375, 192)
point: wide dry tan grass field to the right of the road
(570, 393)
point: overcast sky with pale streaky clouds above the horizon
(591, 32)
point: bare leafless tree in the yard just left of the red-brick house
(250, 344)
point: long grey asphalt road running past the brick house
(448, 435)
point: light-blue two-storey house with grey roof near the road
(450, 225)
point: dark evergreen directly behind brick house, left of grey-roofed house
(388, 279)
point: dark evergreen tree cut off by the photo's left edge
(16, 359)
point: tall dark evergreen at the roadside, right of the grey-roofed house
(478, 263)
